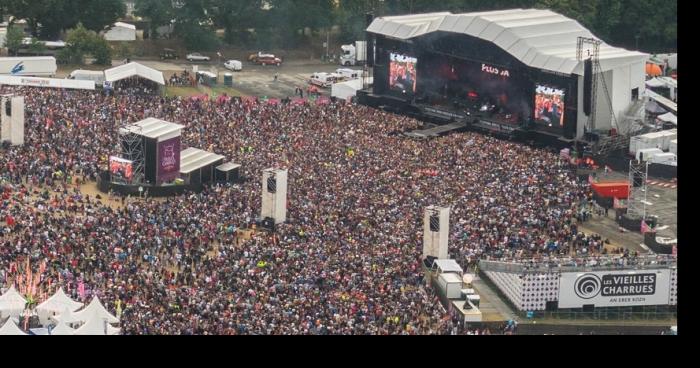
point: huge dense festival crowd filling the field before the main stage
(347, 261)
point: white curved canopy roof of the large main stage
(540, 38)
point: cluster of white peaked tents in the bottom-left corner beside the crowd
(60, 312)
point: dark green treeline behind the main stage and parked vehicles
(650, 24)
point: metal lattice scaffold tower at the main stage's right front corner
(590, 48)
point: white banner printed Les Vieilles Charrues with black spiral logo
(614, 288)
